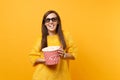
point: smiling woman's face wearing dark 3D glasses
(51, 22)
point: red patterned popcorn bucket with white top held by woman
(51, 55)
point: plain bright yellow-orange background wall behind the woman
(94, 25)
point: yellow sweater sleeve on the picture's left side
(35, 53)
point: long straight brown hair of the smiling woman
(58, 30)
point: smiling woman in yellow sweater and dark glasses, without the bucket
(52, 35)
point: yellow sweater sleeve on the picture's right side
(71, 46)
